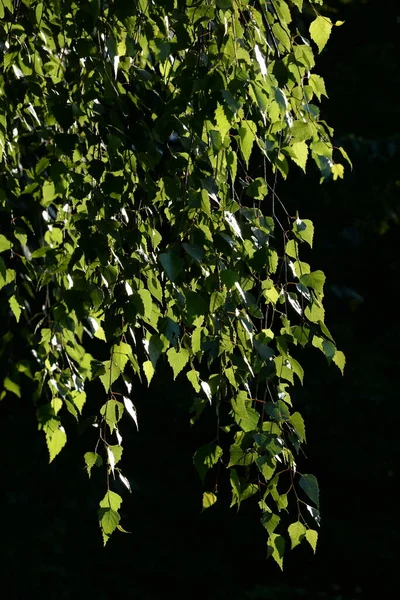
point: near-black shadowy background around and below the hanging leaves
(49, 537)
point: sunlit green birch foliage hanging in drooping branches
(140, 146)
